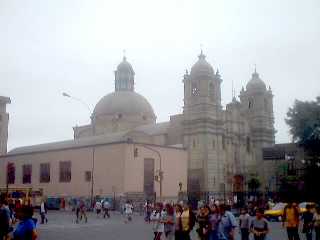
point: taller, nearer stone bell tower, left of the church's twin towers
(203, 127)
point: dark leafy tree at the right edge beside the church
(304, 122)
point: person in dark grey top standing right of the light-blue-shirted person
(259, 226)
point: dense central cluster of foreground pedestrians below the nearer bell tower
(212, 222)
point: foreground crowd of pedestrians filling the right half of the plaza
(217, 222)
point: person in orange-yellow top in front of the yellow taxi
(290, 220)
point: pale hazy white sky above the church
(47, 47)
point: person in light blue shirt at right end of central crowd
(227, 224)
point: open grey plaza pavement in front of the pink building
(62, 226)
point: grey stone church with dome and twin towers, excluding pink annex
(222, 147)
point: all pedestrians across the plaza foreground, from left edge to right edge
(212, 221)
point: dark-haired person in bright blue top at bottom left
(26, 228)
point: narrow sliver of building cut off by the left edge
(4, 122)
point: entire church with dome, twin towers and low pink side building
(207, 149)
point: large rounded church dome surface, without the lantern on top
(125, 103)
